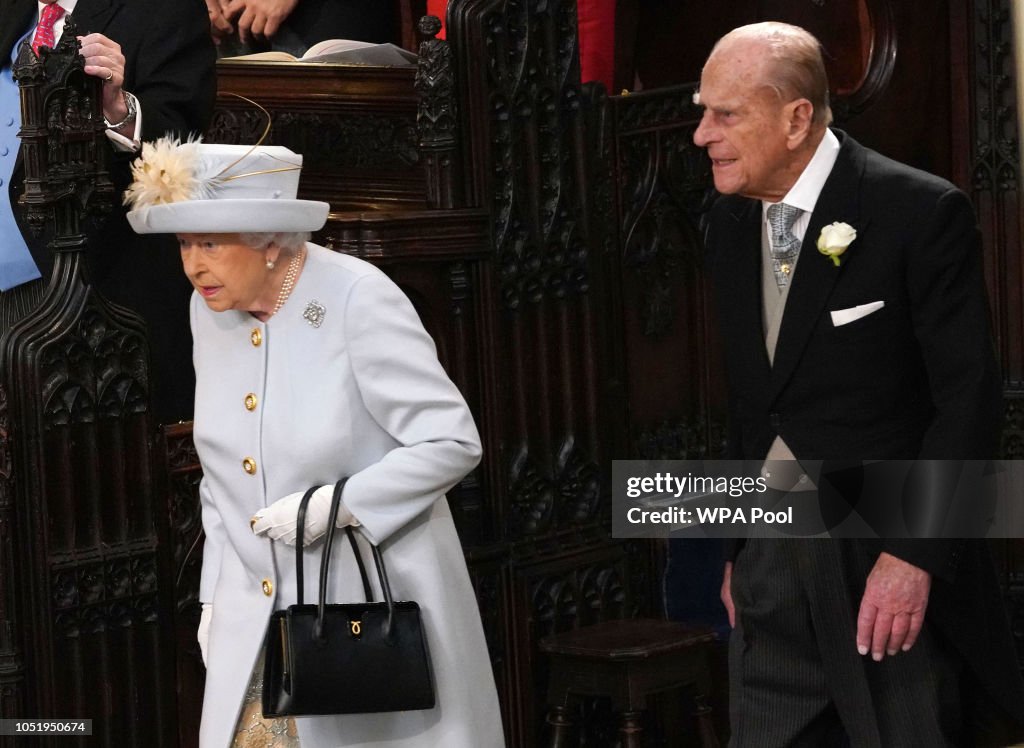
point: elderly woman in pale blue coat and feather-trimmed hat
(313, 366)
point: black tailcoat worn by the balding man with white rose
(917, 379)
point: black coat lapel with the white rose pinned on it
(817, 275)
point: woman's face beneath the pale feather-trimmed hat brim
(228, 274)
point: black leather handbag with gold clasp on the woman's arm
(346, 659)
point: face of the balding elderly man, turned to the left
(745, 126)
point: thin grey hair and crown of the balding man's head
(796, 69)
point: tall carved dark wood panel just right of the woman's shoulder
(529, 155)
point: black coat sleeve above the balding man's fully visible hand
(951, 318)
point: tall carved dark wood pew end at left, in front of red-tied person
(84, 609)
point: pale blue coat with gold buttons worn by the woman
(363, 395)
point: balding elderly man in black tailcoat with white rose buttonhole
(880, 350)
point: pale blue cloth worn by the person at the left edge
(17, 266)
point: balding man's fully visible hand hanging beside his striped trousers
(892, 611)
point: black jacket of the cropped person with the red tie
(169, 66)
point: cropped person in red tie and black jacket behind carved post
(157, 64)
